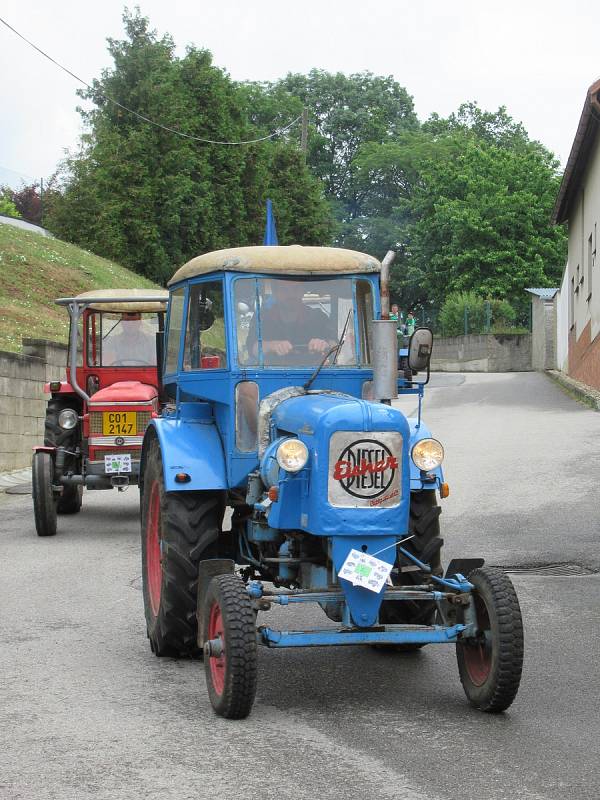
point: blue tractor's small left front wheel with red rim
(230, 657)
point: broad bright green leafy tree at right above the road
(470, 198)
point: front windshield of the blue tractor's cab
(294, 323)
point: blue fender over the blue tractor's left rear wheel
(192, 446)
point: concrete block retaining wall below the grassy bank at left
(22, 398)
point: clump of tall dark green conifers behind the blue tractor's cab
(151, 199)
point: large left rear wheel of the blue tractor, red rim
(178, 528)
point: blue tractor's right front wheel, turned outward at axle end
(490, 663)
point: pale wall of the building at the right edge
(584, 274)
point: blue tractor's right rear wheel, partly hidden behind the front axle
(424, 526)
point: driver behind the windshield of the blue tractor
(287, 324)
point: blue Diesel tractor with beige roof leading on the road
(280, 473)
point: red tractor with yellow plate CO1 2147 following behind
(97, 416)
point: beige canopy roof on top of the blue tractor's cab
(290, 260)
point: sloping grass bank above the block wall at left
(35, 270)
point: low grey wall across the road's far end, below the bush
(485, 353)
